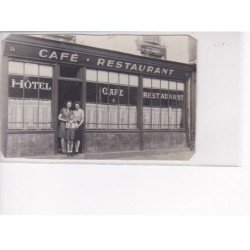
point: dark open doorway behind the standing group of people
(69, 90)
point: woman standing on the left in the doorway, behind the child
(63, 117)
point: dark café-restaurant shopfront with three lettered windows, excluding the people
(131, 103)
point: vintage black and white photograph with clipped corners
(99, 96)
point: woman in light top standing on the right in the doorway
(79, 117)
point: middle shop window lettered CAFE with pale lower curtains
(111, 100)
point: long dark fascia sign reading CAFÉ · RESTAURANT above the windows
(94, 61)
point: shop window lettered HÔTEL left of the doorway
(30, 92)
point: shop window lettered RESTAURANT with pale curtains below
(163, 104)
